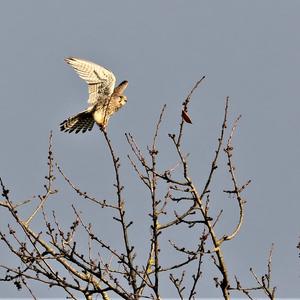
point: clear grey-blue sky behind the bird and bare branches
(248, 50)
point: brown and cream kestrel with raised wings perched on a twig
(104, 98)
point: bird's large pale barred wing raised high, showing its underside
(101, 82)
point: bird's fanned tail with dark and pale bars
(81, 122)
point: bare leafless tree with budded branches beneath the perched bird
(55, 256)
